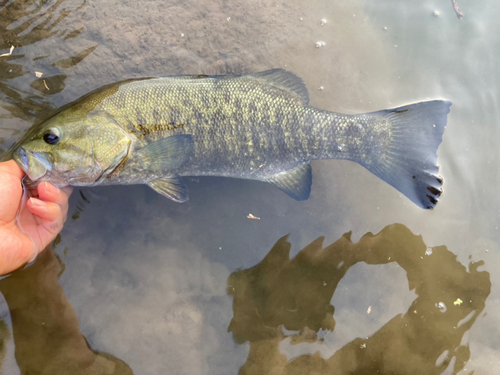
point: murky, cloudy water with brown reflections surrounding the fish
(139, 284)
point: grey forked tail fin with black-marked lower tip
(410, 164)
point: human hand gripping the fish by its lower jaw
(41, 219)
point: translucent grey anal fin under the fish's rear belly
(296, 183)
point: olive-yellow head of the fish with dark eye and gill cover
(72, 151)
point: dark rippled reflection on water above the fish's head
(28, 24)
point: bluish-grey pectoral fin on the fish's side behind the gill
(167, 153)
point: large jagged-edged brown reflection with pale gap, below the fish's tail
(295, 294)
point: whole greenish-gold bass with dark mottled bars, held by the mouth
(256, 126)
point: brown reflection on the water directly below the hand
(45, 329)
